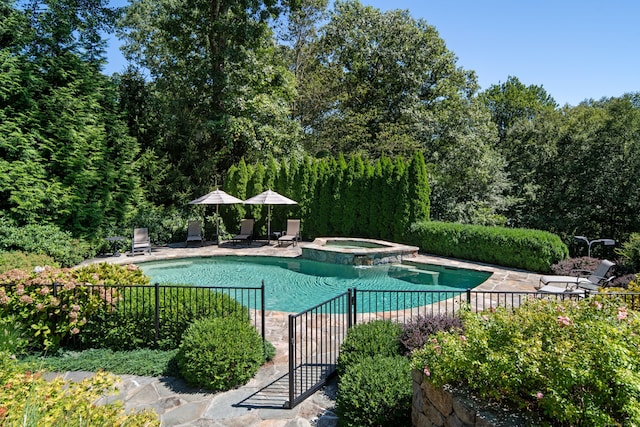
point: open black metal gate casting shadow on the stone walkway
(315, 336)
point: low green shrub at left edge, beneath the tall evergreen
(45, 240)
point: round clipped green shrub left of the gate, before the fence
(220, 353)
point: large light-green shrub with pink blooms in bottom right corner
(573, 362)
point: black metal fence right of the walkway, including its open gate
(315, 335)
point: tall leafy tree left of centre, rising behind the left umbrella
(223, 89)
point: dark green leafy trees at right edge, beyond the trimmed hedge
(580, 165)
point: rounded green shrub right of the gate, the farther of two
(368, 339)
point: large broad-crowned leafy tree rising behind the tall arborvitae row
(385, 84)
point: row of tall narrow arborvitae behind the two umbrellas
(350, 197)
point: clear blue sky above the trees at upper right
(576, 50)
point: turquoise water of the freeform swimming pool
(296, 284)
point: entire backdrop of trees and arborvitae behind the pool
(222, 92)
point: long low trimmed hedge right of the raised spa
(532, 250)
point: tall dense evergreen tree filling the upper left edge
(65, 156)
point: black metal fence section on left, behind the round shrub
(154, 315)
